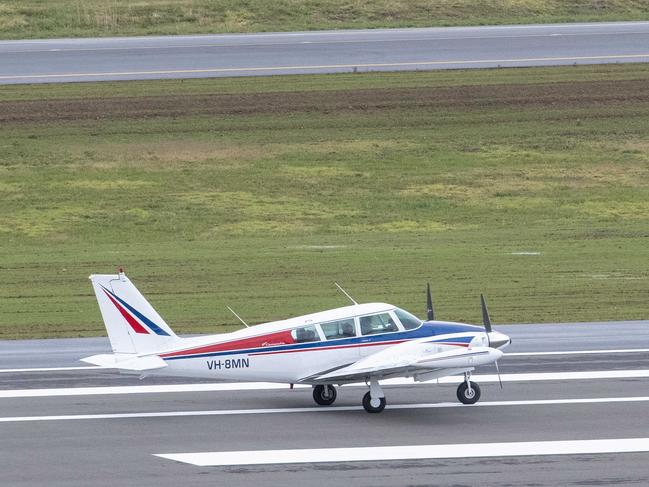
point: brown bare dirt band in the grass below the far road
(588, 93)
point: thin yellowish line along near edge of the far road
(259, 69)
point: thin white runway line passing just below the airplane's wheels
(318, 409)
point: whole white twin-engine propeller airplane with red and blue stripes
(362, 342)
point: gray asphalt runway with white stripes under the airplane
(566, 389)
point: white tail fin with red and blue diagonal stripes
(133, 325)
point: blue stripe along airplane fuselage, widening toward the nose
(428, 329)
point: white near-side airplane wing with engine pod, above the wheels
(423, 359)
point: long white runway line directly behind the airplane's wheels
(247, 386)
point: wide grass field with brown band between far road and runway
(378, 181)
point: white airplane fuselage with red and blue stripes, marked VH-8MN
(271, 353)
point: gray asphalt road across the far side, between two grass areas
(39, 61)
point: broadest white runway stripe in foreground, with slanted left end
(411, 452)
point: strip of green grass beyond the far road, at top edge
(73, 18)
